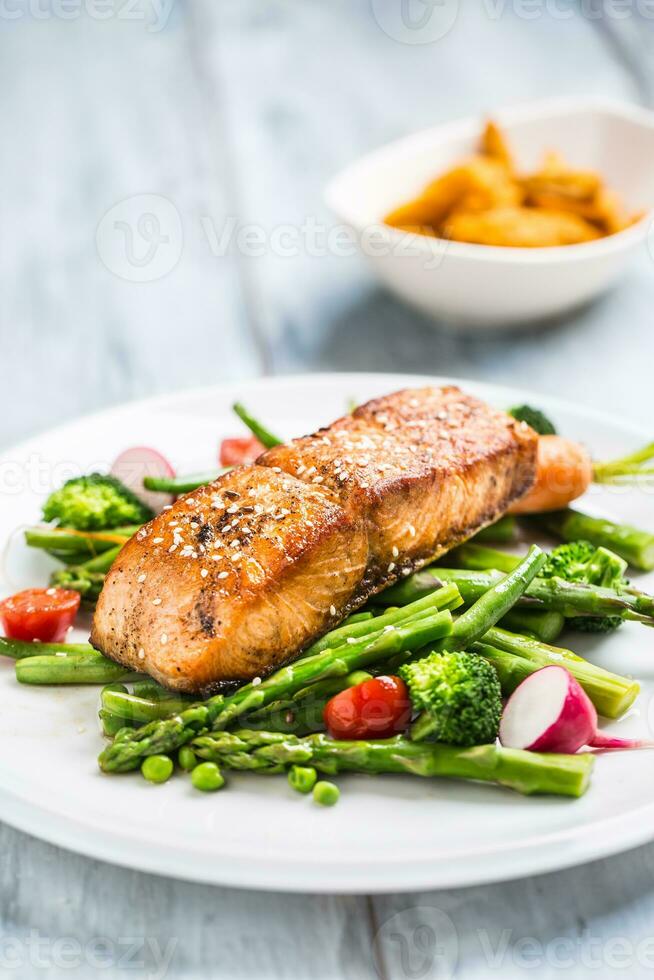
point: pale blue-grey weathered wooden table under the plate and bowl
(234, 114)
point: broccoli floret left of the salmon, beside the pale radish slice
(95, 503)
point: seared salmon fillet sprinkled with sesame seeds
(243, 574)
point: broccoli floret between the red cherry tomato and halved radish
(458, 696)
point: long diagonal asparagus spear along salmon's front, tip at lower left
(130, 748)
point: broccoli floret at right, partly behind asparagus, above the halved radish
(581, 561)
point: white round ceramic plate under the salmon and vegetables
(387, 833)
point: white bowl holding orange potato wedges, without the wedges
(489, 286)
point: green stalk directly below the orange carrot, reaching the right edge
(632, 544)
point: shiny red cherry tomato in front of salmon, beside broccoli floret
(378, 708)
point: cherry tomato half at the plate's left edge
(39, 614)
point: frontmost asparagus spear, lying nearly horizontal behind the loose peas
(525, 772)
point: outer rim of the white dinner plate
(494, 864)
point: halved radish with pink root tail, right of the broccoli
(550, 712)
